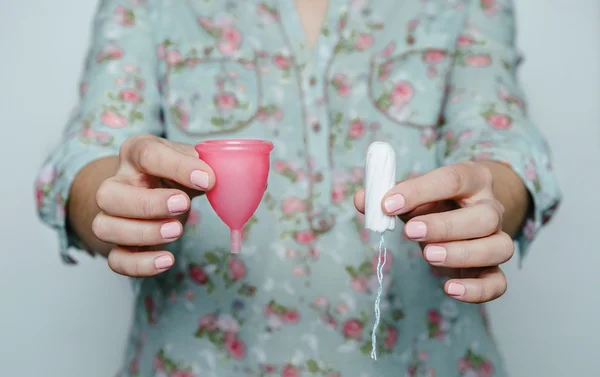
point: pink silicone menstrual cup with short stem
(241, 168)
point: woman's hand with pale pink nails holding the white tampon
(453, 213)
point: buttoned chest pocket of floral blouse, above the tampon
(408, 87)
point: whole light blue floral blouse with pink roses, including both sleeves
(436, 78)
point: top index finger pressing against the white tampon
(459, 181)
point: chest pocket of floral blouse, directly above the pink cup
(209, 96)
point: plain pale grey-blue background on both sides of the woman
(60, 321)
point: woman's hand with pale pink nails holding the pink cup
(145, 204)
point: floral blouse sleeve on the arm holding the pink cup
(118, 98)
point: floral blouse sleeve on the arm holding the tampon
(485, 117)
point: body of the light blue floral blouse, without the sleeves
(298, 301)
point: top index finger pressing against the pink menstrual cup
(159, 159)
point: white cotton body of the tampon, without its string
(380, 177)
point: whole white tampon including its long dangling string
(380, 177)
